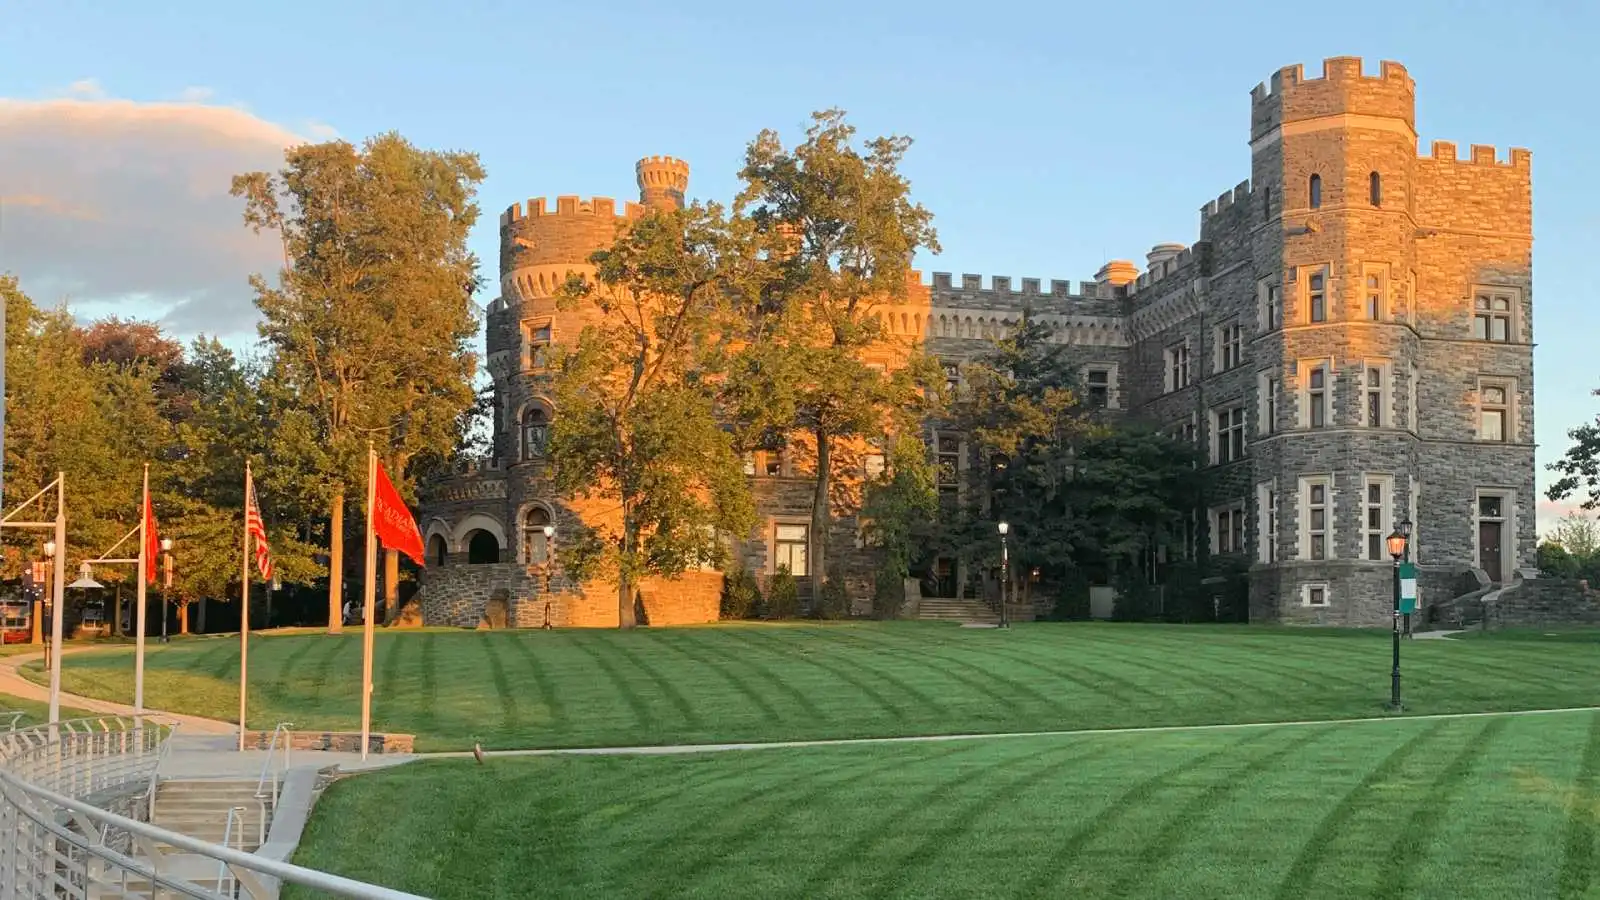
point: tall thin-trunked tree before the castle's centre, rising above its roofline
(841, 231)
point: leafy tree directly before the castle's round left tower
(638, 395)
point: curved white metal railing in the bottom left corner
(58, 840)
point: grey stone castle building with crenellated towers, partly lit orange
(1350, 339)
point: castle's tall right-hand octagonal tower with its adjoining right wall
(1385, 393)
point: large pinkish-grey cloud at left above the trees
(124, 207)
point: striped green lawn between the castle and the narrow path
(519, 689)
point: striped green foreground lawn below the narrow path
(1486, 808)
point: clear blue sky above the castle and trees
(1050, 139)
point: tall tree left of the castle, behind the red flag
(372, 318)
